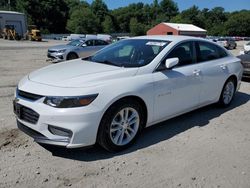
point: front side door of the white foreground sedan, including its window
(177, 90)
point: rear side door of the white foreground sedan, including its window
(212, 61)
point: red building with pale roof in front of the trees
(177, 29)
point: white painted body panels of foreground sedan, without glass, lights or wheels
(166, 93)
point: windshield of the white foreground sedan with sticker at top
(130, 53)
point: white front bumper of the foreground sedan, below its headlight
(82, 122)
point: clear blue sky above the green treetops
(228, 5)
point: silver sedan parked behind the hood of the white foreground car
(75, 49)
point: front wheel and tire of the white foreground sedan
(121, 125)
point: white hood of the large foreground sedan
(79, 73)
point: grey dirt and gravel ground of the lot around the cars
(209, 147)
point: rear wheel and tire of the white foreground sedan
(227, 93)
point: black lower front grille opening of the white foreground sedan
(28, 115)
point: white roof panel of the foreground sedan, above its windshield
(175, 38)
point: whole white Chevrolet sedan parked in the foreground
(111, 96)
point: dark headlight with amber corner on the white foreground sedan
(69, 102)
